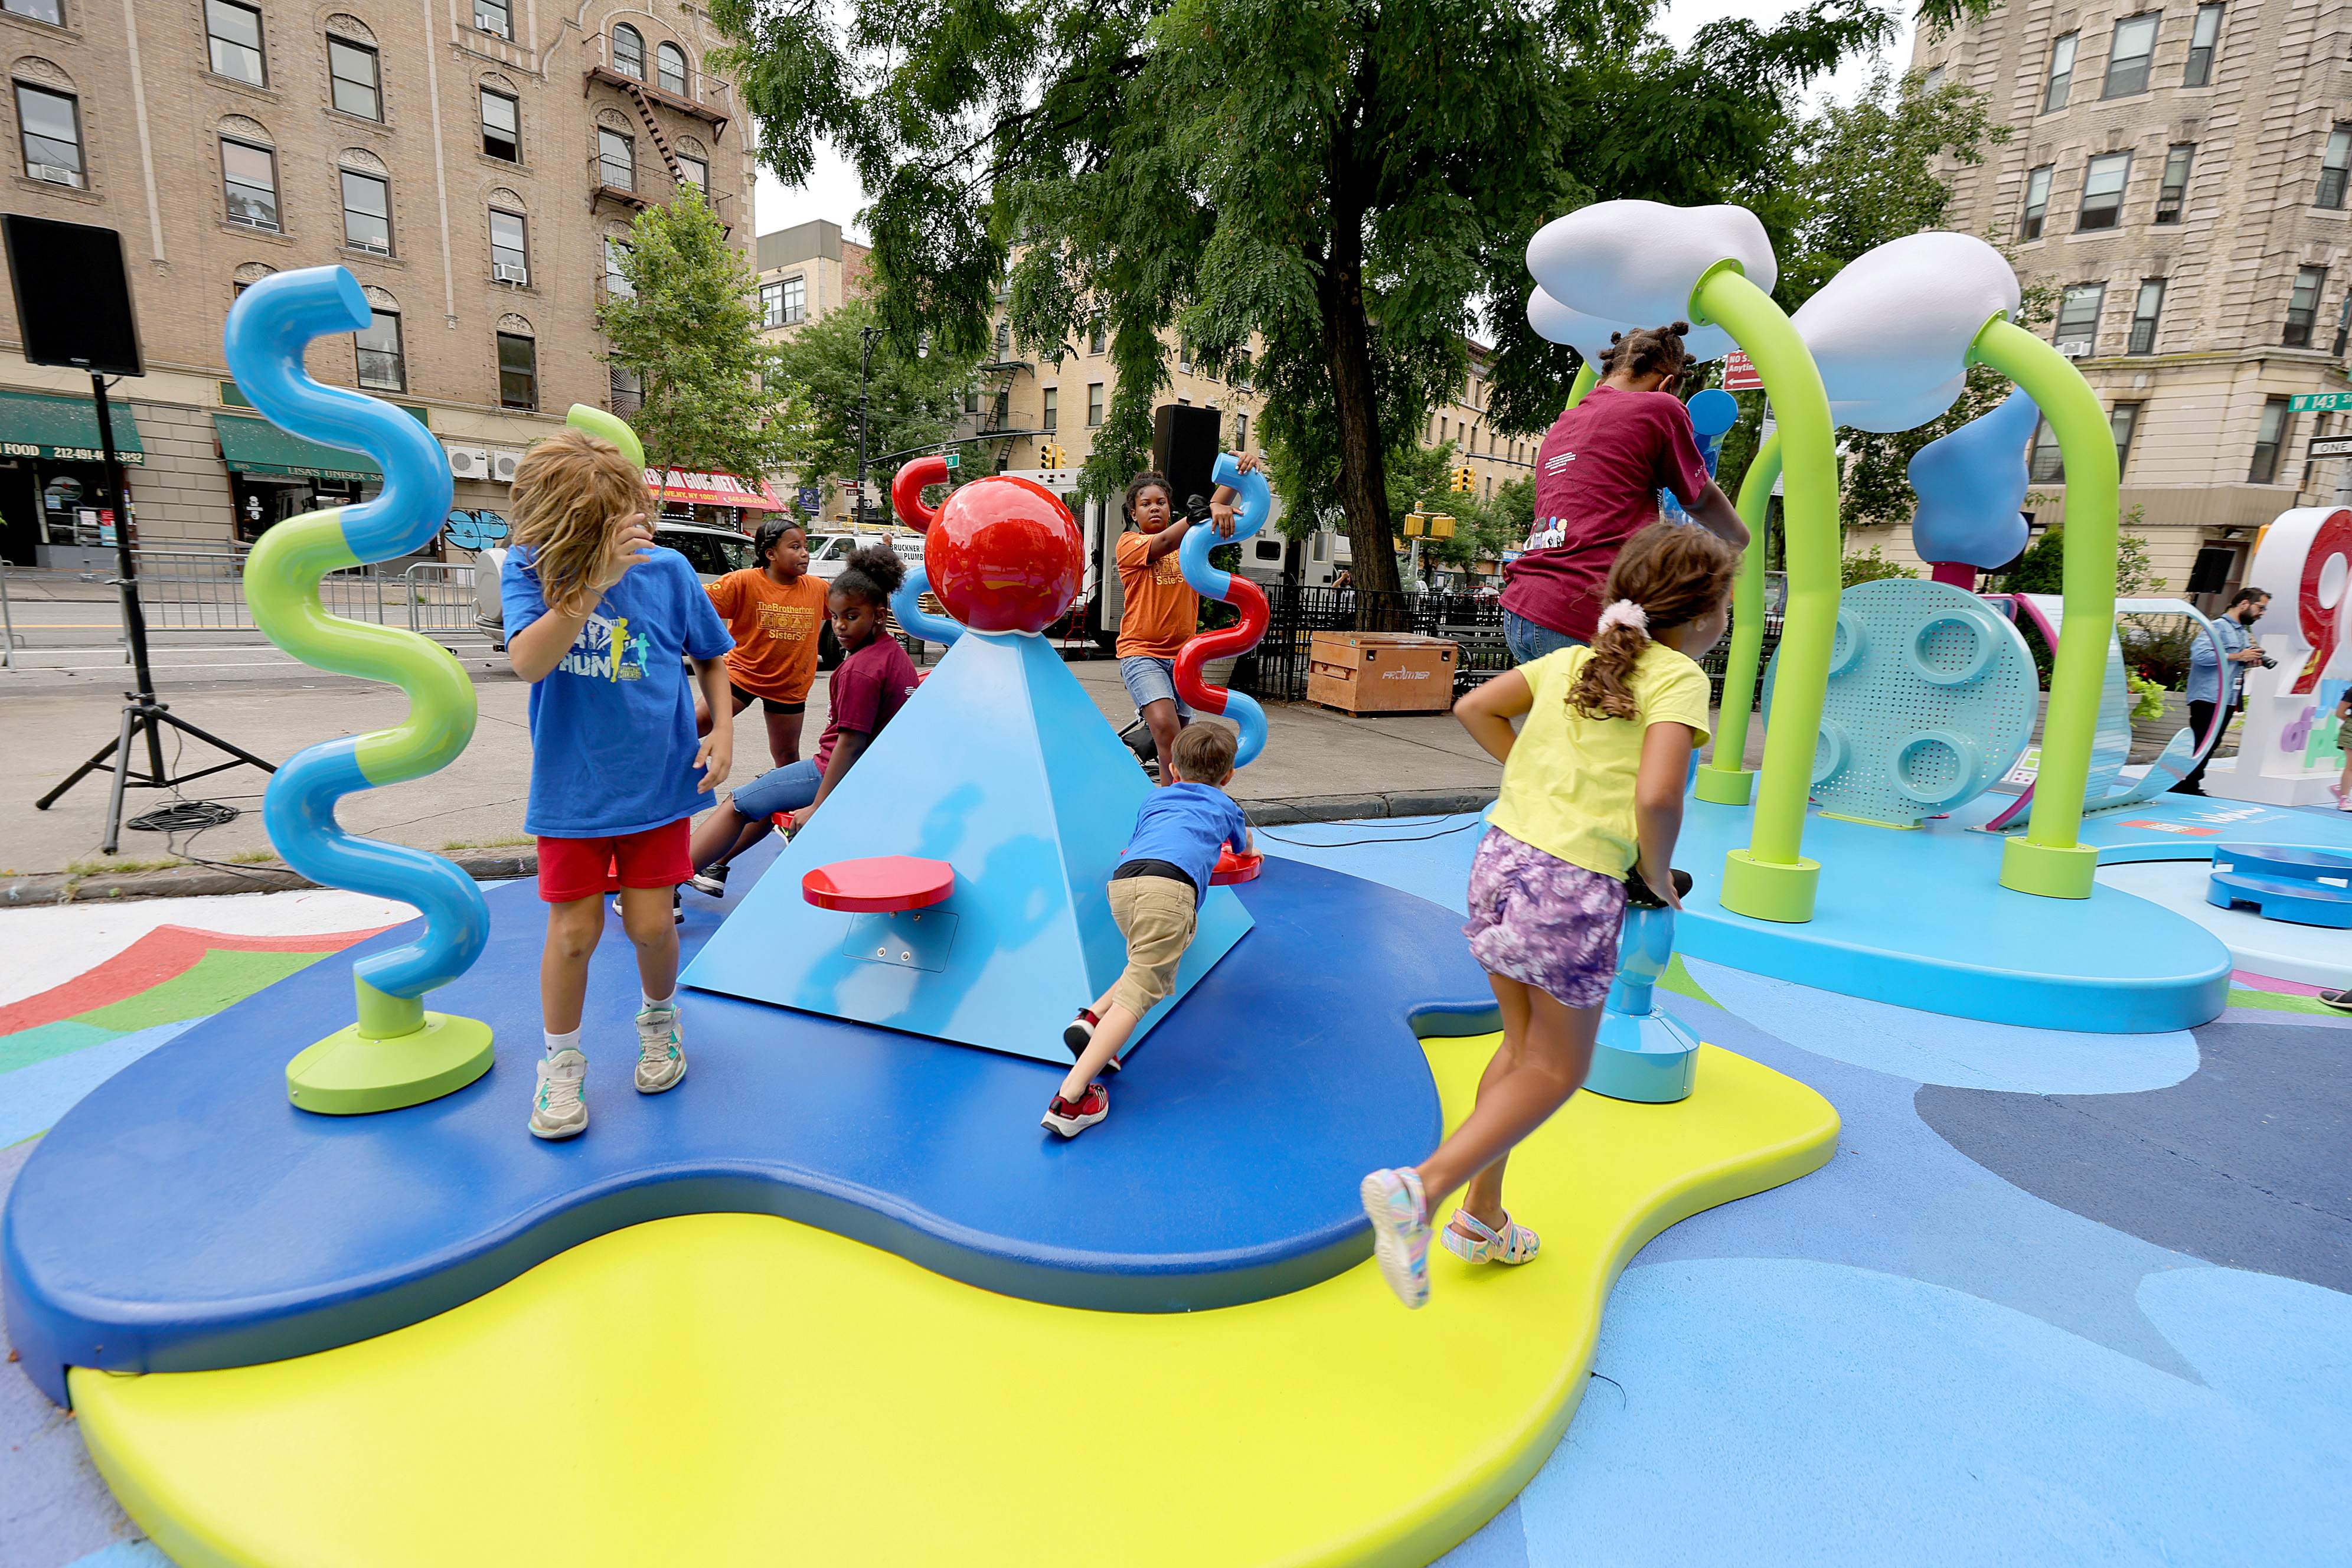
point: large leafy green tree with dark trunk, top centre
(1349, 180)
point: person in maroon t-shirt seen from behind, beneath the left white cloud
(1598, 483)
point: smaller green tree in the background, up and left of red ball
(911, 401)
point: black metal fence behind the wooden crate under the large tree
(1278, 669)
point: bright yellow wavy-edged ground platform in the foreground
(723, 1391)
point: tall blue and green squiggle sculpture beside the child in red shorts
(396, 1054)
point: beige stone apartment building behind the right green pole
(2181, 177)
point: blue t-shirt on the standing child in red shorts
(613, 725)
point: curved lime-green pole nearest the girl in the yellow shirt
(1772, 880)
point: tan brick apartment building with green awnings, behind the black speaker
(467, 163)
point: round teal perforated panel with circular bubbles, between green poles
(1932, 697)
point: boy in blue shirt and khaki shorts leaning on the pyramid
(1156, 897)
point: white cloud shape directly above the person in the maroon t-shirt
(1638, 262)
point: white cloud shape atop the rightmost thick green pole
(1892, 330)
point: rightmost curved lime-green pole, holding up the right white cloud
(2050, 859)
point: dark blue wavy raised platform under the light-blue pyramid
(185, 1217)
